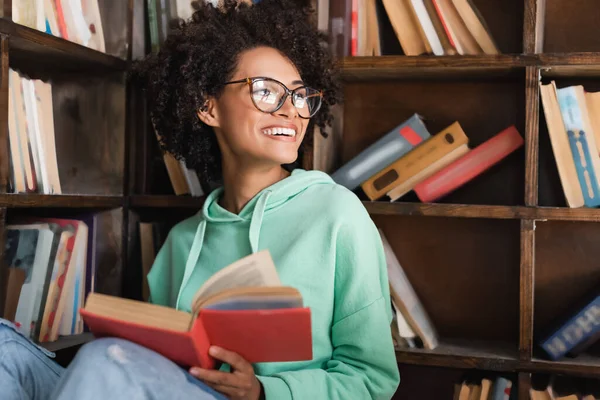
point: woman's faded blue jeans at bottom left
(107, 368)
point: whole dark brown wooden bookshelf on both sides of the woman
(487, 261)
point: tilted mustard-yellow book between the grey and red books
(415, 161)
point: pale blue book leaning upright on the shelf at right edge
(582, 143)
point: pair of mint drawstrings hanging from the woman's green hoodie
(253, 236)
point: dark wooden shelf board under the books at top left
(33, 51)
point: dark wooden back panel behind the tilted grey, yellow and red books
(483, 109)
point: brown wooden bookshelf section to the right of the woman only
(496, 260)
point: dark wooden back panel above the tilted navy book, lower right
(566, 268)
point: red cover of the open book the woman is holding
(257, 335)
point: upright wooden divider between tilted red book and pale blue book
(532, 94)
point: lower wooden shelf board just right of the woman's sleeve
(493, 356)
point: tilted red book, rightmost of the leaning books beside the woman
(471, 165)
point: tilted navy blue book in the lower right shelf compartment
(579, 328)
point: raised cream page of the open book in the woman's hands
(254, 270)
